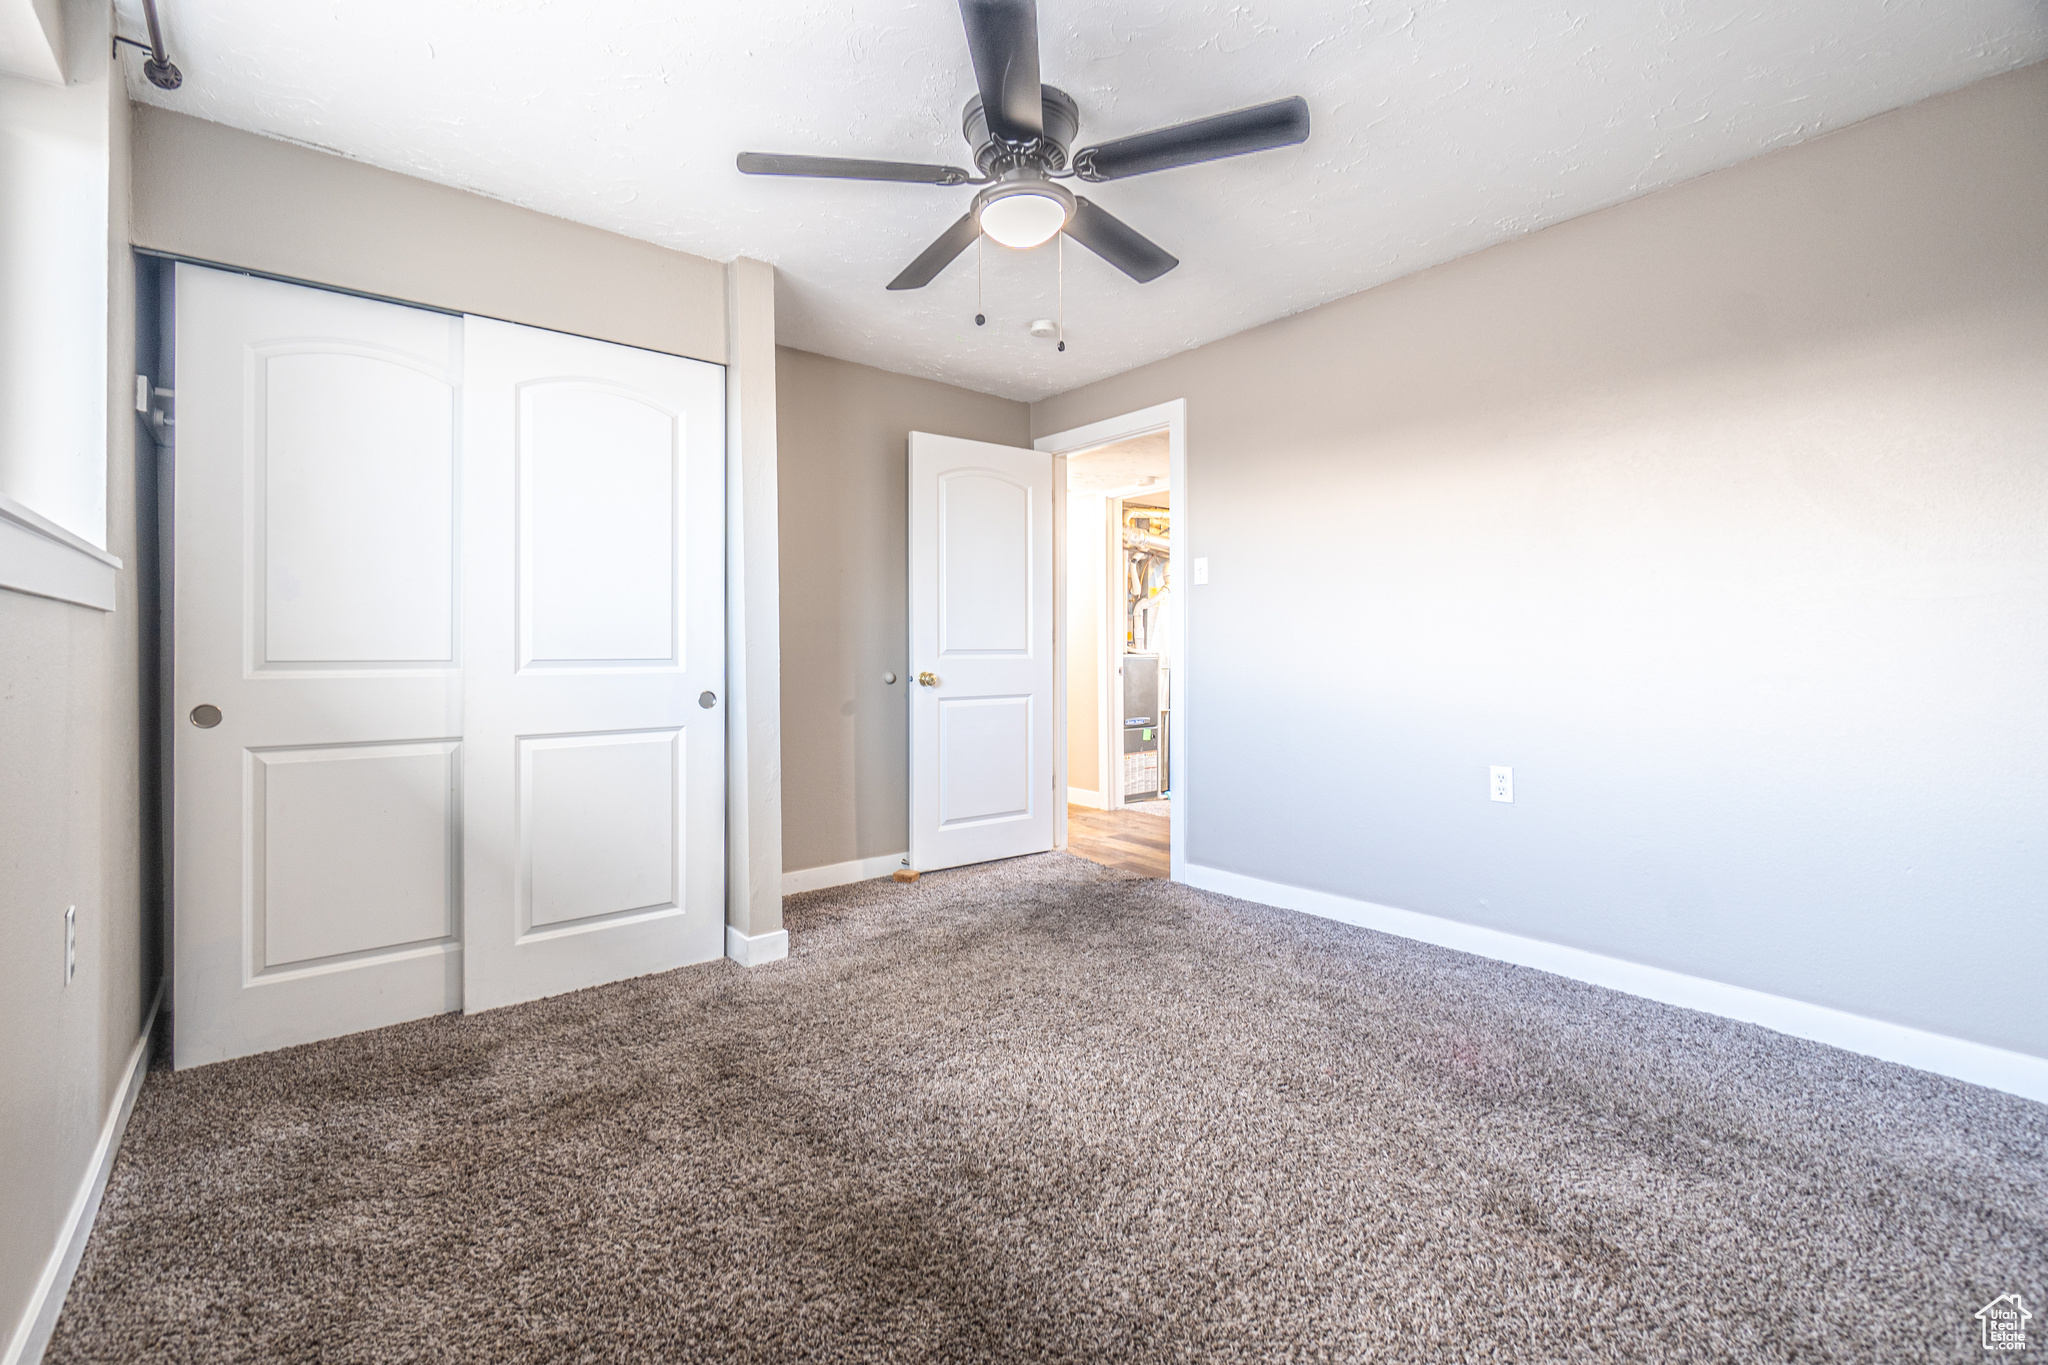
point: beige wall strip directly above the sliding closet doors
(214, 193)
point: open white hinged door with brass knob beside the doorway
(982, 701)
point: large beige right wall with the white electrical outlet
(1721, 517)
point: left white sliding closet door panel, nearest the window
(318, 609)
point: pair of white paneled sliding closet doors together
(450, 664)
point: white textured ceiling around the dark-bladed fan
(1441, 128)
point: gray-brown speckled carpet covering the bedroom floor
(1048, 1112)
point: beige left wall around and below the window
(71, 824)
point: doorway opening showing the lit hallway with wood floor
(1121, 652)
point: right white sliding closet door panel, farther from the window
(595, 566)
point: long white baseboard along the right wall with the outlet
(2014, 1073)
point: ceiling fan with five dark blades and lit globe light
(1021, 134)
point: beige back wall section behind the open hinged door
(843, 447)
